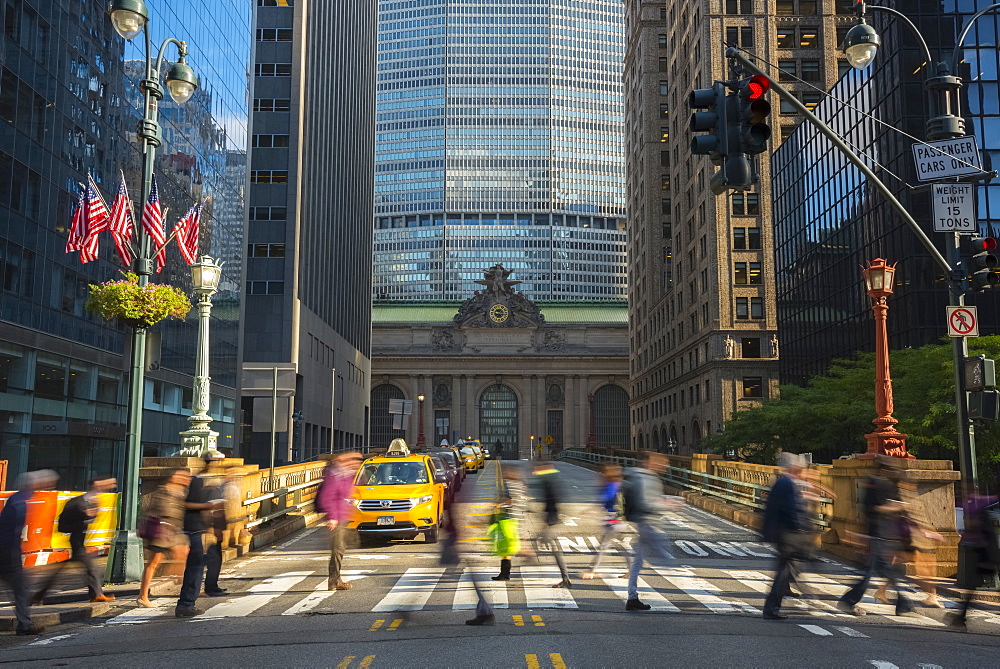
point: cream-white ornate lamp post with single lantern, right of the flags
(200, 438)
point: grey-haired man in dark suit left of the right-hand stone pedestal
(786, 526)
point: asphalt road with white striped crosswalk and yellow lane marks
(405, 610)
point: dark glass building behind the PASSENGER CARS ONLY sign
(828, 220)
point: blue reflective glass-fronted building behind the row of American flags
(69, 103)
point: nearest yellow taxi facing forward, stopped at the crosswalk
(397, 496)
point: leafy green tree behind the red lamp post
(831, 414)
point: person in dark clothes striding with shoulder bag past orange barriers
(78, 513)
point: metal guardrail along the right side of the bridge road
(752, 495)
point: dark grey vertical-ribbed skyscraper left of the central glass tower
(308, 283)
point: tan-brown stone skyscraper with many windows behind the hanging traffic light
(701, 304)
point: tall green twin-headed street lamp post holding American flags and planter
(129, 18)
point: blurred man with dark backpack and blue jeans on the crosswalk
(644, 504)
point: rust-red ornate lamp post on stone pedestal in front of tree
(885, 440)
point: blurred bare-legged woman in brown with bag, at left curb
(160, 528)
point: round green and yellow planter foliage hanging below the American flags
(139, 306)
